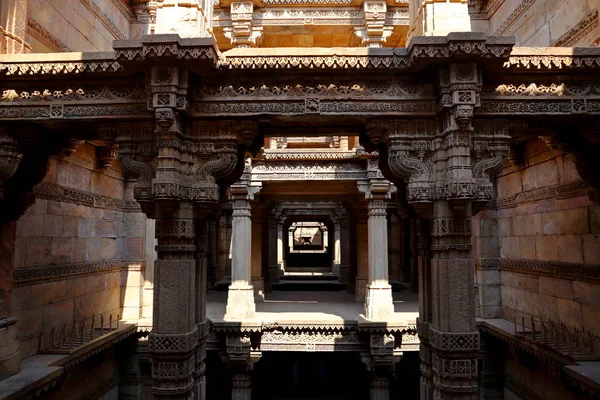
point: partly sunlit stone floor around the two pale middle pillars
(330, 307)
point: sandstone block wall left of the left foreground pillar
(79, 249)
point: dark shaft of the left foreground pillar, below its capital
(174, 341)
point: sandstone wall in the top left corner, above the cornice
(77, 25)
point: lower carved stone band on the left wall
(48, 273)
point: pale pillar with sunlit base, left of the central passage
(240, 298)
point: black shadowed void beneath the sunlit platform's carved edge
(313, 376)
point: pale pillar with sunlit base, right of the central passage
(379, 304)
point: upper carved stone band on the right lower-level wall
(557, 192)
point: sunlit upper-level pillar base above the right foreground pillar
(438, 17)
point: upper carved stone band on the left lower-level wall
(50, 191)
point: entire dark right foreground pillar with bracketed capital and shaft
(447, 169)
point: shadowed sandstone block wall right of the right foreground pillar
(548, 242)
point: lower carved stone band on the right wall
(553, 269)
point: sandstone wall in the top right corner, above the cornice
(543, 23)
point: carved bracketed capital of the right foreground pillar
(449, 159)
